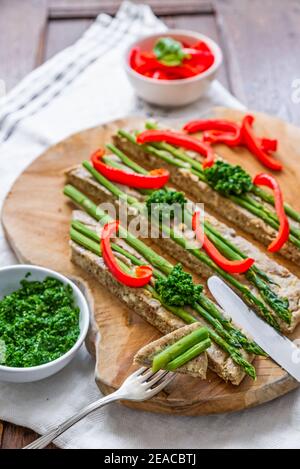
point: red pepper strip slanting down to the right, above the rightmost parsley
(253, 144)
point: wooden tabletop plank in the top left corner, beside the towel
(22, 28)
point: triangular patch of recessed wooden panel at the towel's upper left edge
(62, 34)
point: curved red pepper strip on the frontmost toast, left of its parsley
(143, 273)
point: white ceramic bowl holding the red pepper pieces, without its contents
(173, 93)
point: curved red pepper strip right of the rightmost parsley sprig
(284, 229)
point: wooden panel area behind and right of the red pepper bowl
(205, 24)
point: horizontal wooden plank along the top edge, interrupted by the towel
(75, 9)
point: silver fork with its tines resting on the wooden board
(140, 386)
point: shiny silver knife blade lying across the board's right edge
(282, 350)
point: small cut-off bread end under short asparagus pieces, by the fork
(196, 367)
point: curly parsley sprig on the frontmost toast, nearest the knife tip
(178, 288)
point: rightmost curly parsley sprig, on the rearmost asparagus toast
(228, 179)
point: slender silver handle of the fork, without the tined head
(44, 440)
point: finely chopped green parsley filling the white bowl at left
(38, 323)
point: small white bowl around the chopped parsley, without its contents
(10, 278)
